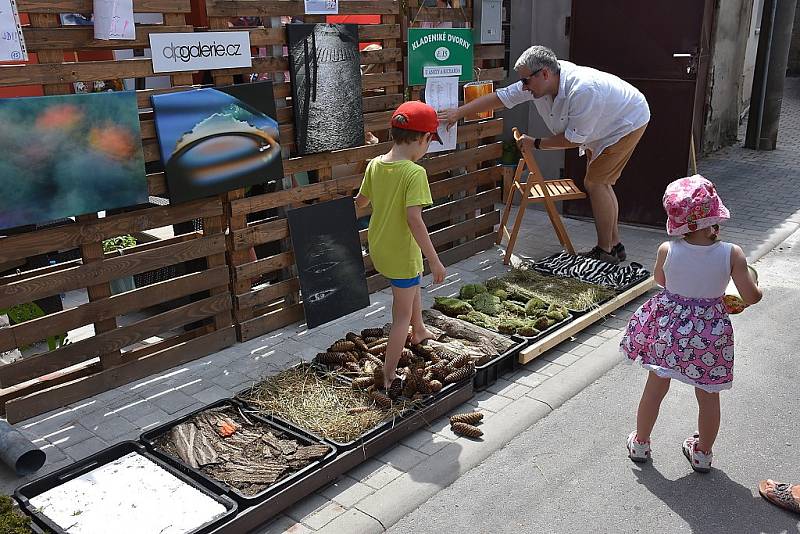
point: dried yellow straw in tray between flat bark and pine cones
(319, 403)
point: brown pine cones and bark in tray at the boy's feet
(428, 370)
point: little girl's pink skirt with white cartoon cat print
(688, 339)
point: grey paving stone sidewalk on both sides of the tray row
(759, 188)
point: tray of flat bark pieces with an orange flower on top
(244, 457)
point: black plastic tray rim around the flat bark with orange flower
(149, 439)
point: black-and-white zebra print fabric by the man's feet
(616, 277)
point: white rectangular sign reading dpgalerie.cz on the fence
(173, 52)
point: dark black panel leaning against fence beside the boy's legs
(329, 262)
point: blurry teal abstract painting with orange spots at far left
(69, 155)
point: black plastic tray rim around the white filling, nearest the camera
(24, 493)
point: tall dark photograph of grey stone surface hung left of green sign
(326, 86)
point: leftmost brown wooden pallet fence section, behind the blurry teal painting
(116, 337)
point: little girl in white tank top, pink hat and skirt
(684, 331)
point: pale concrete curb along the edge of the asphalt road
(388, 505)
